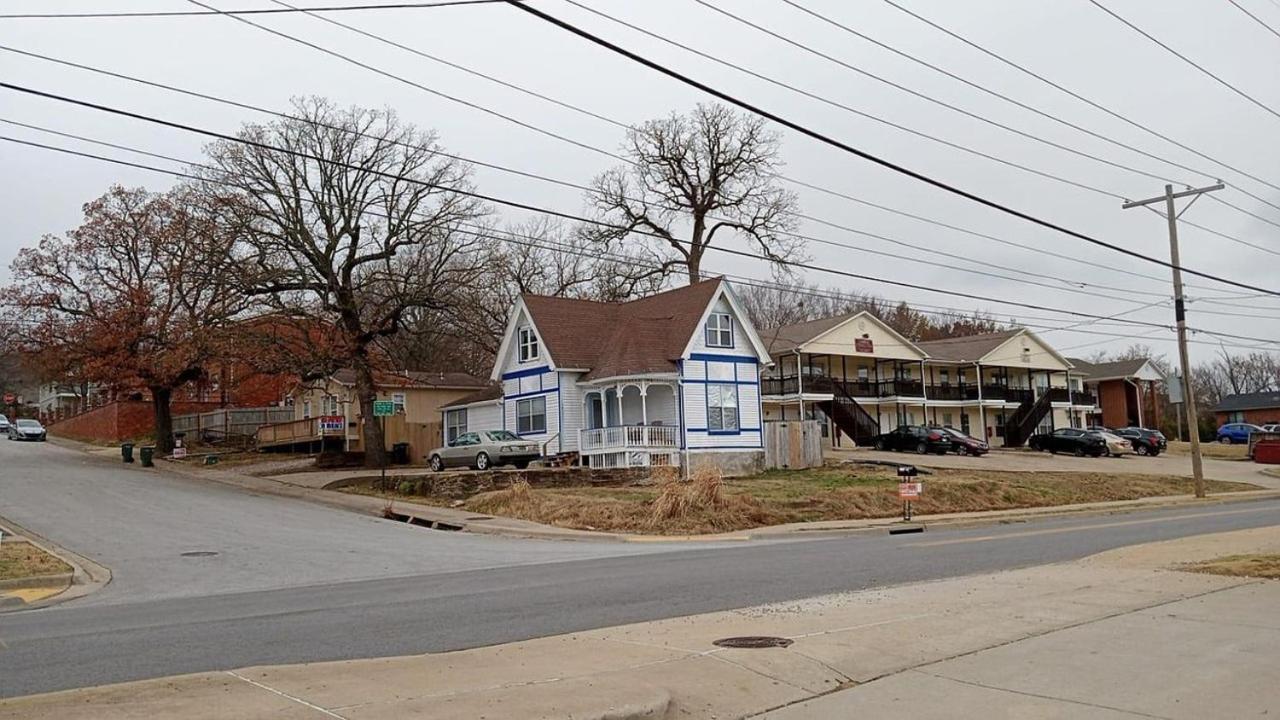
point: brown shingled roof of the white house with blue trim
(621, 339)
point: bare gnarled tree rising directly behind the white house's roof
(692, 179)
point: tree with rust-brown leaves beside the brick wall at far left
(134, 298)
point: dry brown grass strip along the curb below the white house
(840, 493)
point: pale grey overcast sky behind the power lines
(1072, 43)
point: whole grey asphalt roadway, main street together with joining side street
(470, 593)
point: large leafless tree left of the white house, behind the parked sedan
(350, 220)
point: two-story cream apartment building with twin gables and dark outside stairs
(862, 379)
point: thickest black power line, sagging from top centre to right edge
(862, 154)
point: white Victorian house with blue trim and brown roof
(660, 381)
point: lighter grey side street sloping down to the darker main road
(145, 526)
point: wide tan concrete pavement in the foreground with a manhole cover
(1114, 636)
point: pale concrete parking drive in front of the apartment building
(1027, 461)
